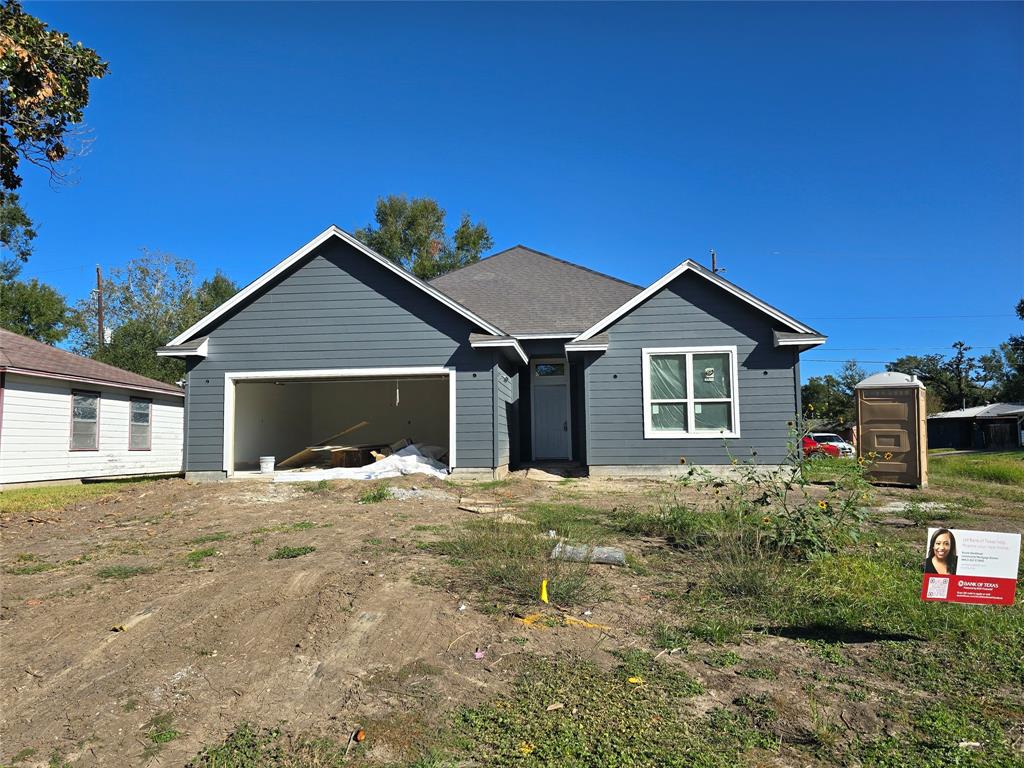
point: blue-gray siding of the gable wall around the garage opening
(339, 310)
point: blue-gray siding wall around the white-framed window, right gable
(691, 313)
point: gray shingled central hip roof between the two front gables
(528, 292)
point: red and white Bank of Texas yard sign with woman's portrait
(971, 567)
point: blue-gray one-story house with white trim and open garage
(519, 359)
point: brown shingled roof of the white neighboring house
(24, 356)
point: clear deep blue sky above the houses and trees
(861, 167)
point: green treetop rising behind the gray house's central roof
(412, 234)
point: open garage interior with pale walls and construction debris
(284, 418)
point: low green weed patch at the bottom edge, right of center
(634, 715)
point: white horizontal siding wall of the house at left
(35, 436)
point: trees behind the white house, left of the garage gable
(147, 304)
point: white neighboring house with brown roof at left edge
(65, 417)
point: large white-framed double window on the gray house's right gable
(691, 393)
